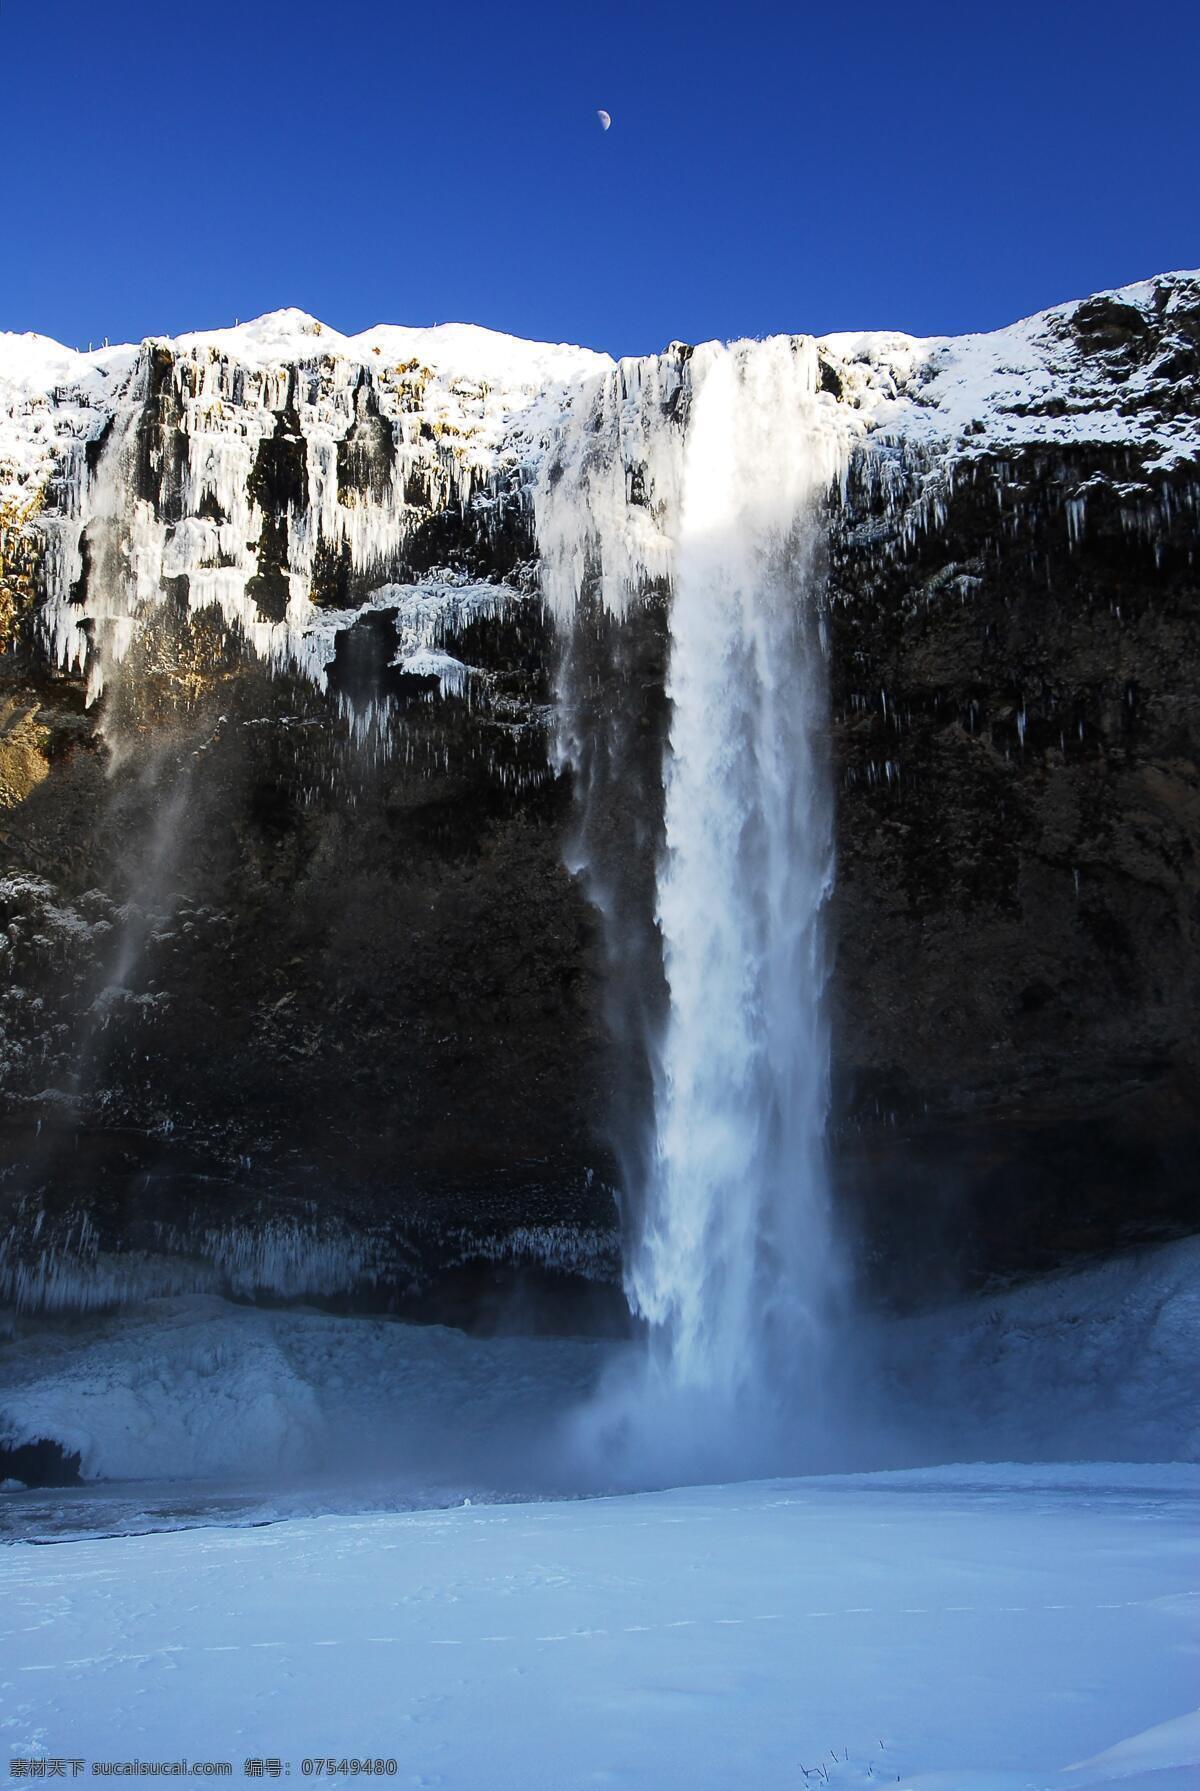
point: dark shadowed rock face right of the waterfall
(1018, 884)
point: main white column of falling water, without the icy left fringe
(733, 1260)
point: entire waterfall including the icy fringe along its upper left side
(710, 472)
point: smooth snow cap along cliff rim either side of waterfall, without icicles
(1099, 370)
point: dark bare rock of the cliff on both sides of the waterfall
(279, 972)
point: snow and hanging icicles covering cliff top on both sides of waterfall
(282, 472)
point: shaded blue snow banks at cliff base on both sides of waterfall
(1090, 1366)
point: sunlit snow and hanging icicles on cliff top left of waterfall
(196, 463)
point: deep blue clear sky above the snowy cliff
(932, 167)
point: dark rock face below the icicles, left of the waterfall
(273, 975)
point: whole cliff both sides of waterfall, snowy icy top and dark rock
(300, 993)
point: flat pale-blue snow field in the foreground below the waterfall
(1000, 1631)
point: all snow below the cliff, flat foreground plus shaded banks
(338, 1568)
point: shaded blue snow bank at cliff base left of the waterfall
(198, 1389)
